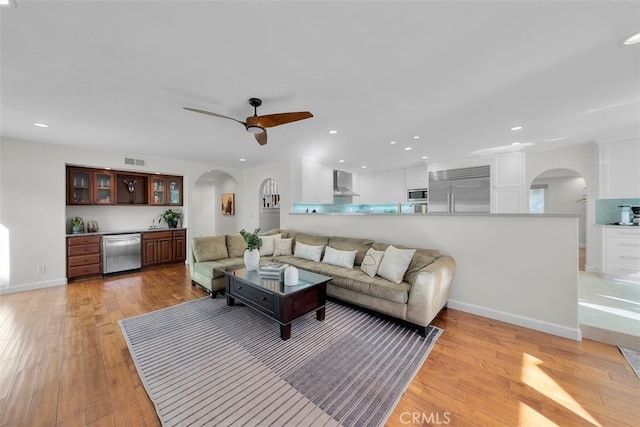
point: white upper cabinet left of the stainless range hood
(313, 182)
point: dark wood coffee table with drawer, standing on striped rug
(281, 303)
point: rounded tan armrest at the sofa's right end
(430, 292)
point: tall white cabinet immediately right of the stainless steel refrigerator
(507, 182)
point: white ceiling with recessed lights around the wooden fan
(115, 75)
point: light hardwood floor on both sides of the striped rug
(63, 361)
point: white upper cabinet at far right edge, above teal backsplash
(620, 170)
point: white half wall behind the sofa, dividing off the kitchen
(521, 269)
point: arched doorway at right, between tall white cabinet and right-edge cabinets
(562, 191)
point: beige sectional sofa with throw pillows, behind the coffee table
(379, 278)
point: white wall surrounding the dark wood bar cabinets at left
(32, 194)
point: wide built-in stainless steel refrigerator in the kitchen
(460, 190)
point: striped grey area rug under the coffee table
(204, 363)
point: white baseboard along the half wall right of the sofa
(526, 322)
